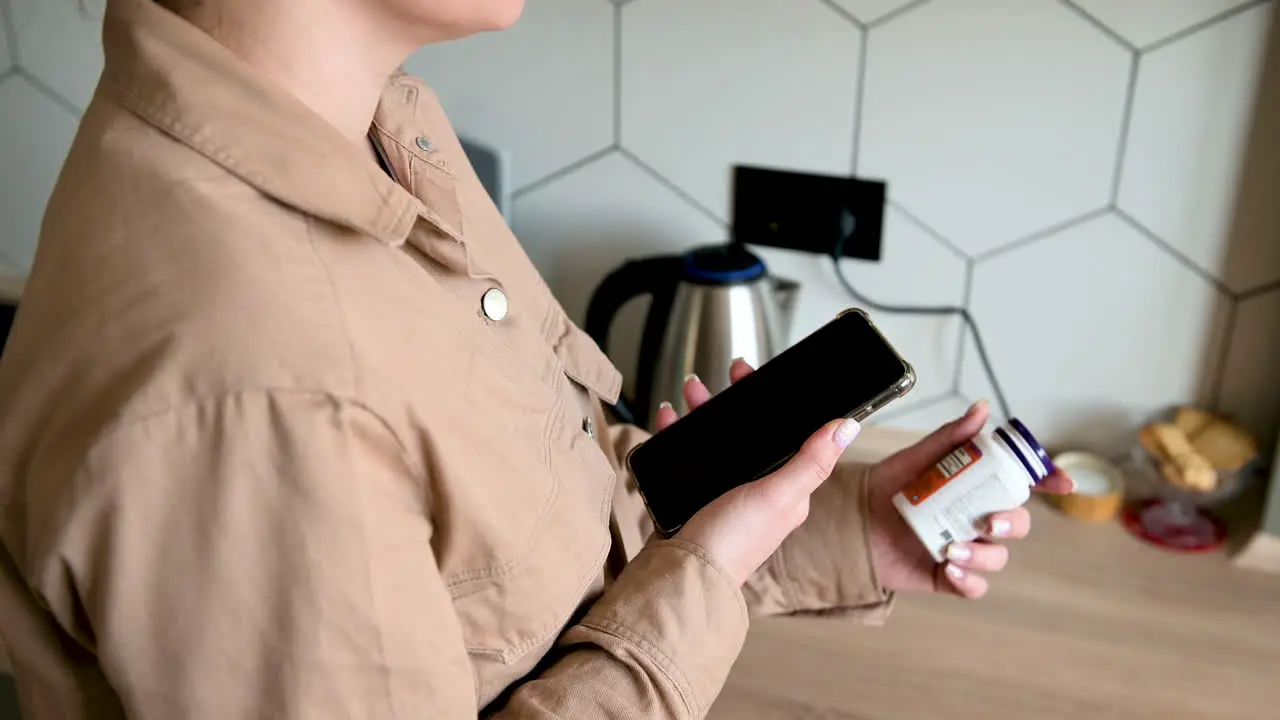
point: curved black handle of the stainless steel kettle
(659, 279)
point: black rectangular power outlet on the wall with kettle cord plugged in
(808, 213)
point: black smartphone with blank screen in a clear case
(845, 370)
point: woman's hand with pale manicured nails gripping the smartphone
(746, 526)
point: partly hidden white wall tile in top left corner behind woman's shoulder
(61, 43)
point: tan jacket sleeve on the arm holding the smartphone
(271, 557)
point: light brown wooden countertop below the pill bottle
(1086, 623)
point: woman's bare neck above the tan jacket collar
(331, 57)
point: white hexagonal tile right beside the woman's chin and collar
(541, 92)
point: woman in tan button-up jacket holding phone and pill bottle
(294, 430)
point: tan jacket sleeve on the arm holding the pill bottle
(825, 567)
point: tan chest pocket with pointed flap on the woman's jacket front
(508, 613)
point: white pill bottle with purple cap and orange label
(994, 472)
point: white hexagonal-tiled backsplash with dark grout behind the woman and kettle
(1092, 177)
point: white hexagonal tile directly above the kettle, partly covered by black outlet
(712, 84)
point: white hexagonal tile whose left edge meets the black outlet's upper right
(993, 121)
